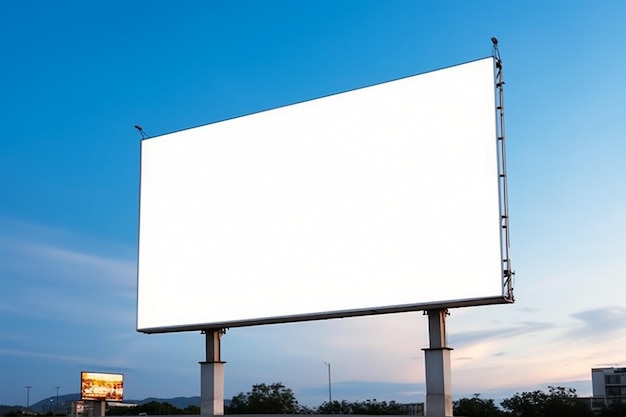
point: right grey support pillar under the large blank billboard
(438, 370)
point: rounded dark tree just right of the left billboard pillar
(265, 399)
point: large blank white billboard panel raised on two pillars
(376, 200)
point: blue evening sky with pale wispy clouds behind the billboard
(76, 76)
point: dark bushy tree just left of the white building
(558, 401)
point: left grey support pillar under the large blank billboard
(212, 376)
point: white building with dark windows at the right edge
(609, 387)
